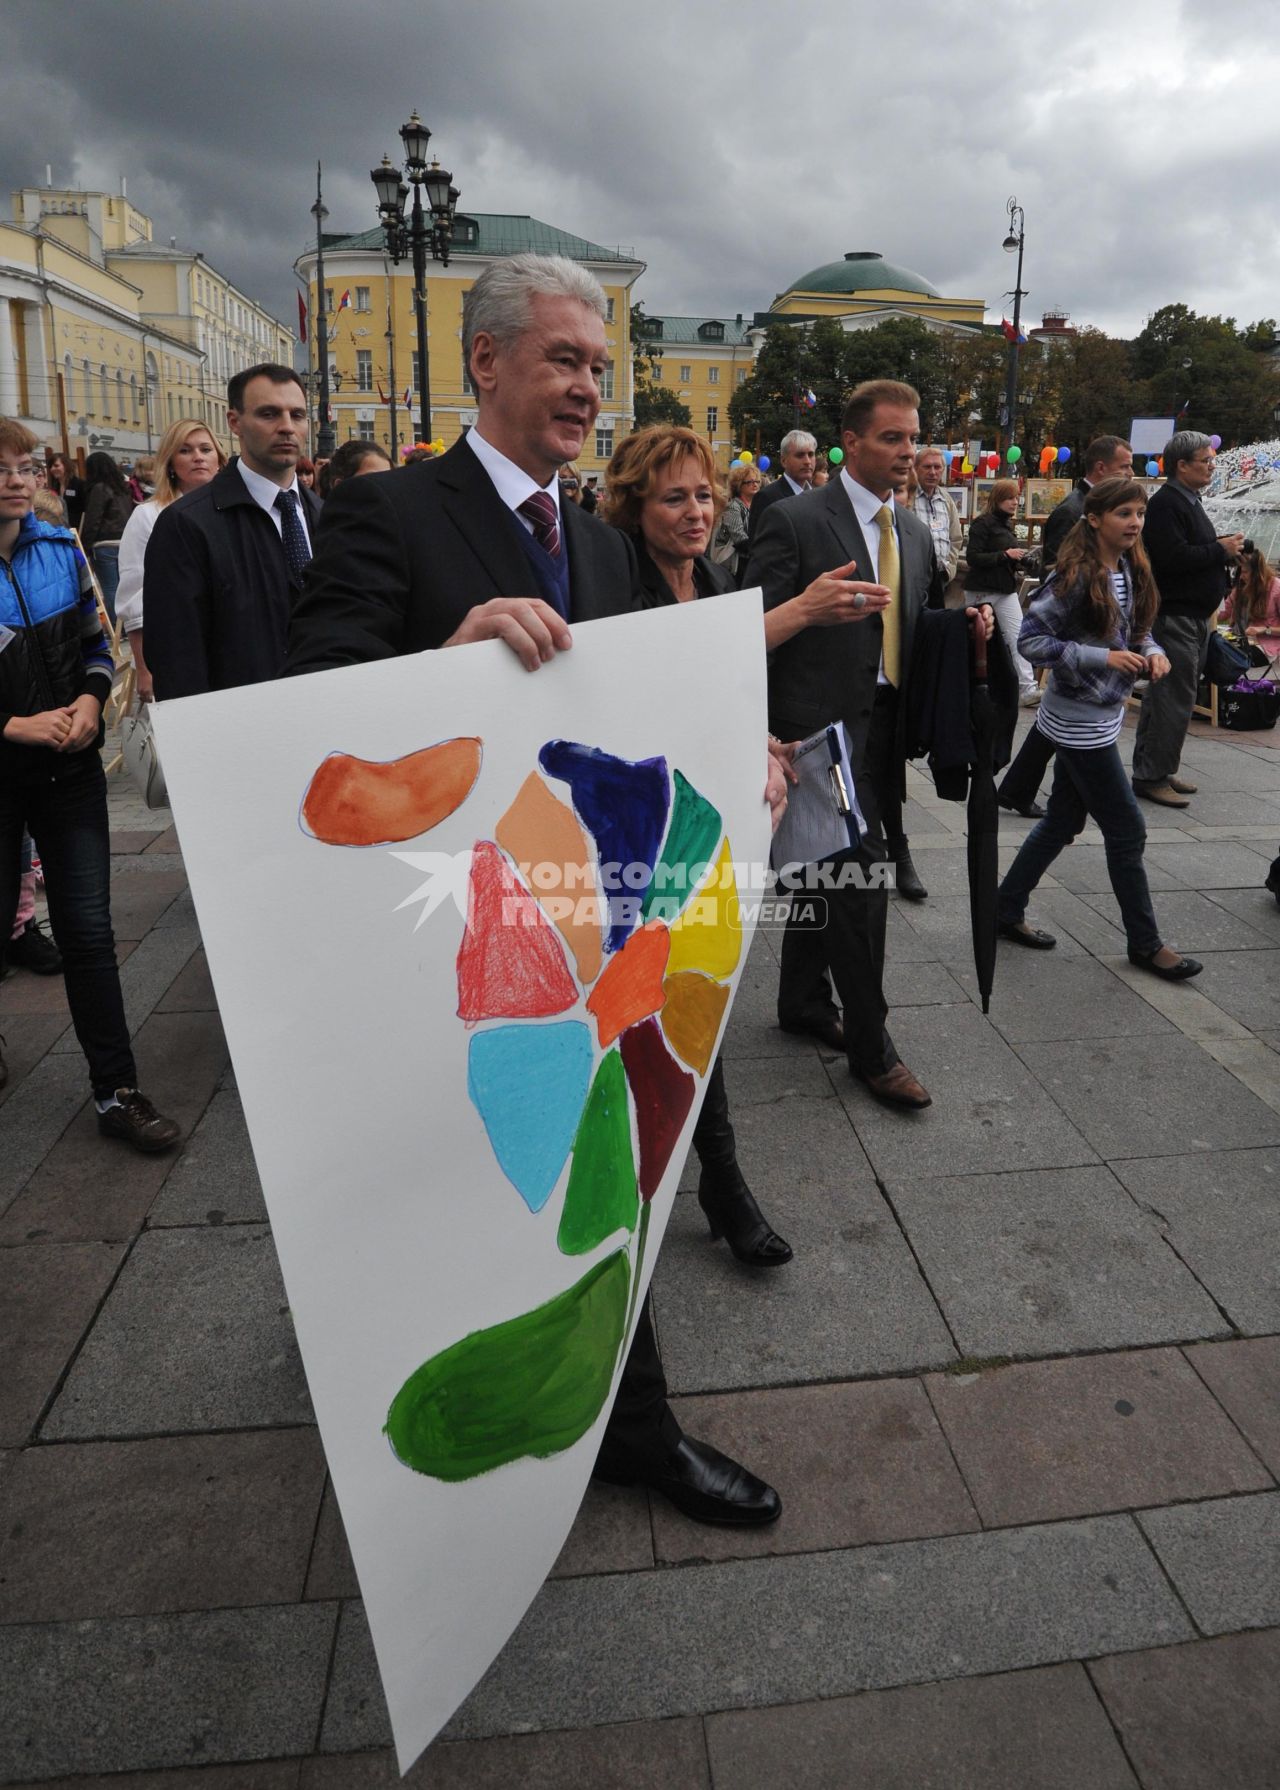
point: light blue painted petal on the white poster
(529, 1086)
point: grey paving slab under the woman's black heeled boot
(849, 1304)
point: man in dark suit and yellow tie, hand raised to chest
(841, 642)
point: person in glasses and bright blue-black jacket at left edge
(55, 679)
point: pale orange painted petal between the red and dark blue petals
(543, 837)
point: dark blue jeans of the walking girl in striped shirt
(1089, 781)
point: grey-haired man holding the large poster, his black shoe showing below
(477, 547)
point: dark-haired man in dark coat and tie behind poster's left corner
(226, 561)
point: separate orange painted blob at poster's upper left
(366, 803)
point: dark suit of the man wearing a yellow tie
(832, 676)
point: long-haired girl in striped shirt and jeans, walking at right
(1091, 624)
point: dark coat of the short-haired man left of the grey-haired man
(218, 590)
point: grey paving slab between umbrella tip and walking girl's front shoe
(1043, 996)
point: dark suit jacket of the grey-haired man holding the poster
(402, 558)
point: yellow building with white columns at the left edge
(107, 337)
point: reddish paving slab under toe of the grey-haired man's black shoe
(853, 1465)
